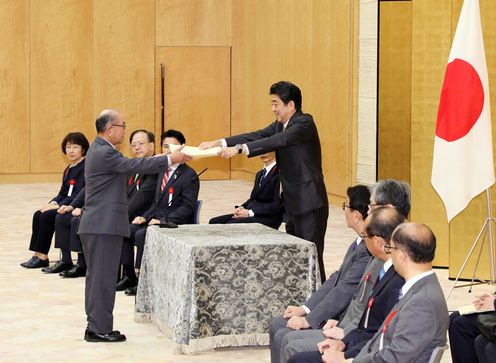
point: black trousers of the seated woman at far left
(43, 228)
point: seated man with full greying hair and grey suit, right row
(387, 193)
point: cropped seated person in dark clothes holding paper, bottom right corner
(463, 330)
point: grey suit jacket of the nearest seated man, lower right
(418, 326)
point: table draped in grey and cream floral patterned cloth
(208, 286)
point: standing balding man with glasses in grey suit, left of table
(104, 219)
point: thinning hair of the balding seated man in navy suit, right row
(382, 222)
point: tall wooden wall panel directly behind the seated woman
(60, 38)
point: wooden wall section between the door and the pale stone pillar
(311, 46)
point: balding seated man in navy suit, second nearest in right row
(379, 227)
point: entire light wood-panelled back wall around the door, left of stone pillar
(80, 56)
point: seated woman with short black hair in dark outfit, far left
(74, 146)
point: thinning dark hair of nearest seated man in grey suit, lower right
(417, 240)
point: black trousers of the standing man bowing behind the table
(310, 226)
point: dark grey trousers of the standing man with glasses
(103, 253)
